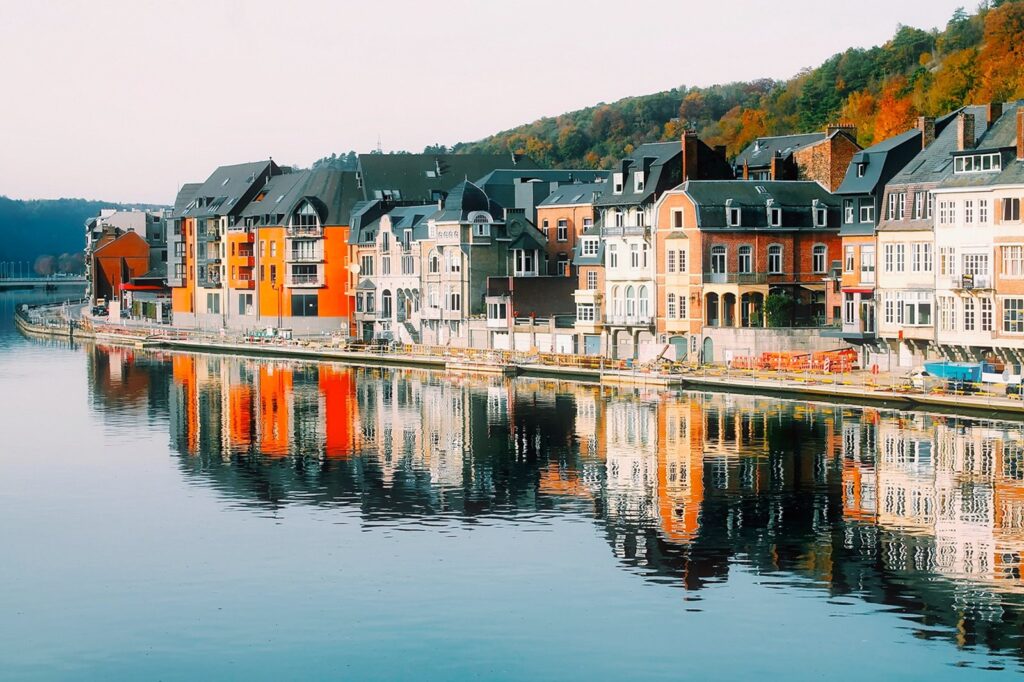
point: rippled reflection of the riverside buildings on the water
(869, 513)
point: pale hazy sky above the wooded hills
(126, 100)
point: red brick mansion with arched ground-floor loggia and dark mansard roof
(724, 247)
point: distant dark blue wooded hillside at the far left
(30, 230)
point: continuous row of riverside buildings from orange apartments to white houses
(910, 250)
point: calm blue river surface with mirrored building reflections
(187, 518)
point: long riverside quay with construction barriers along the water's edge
(856, 388)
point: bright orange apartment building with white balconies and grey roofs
(264, 247)
